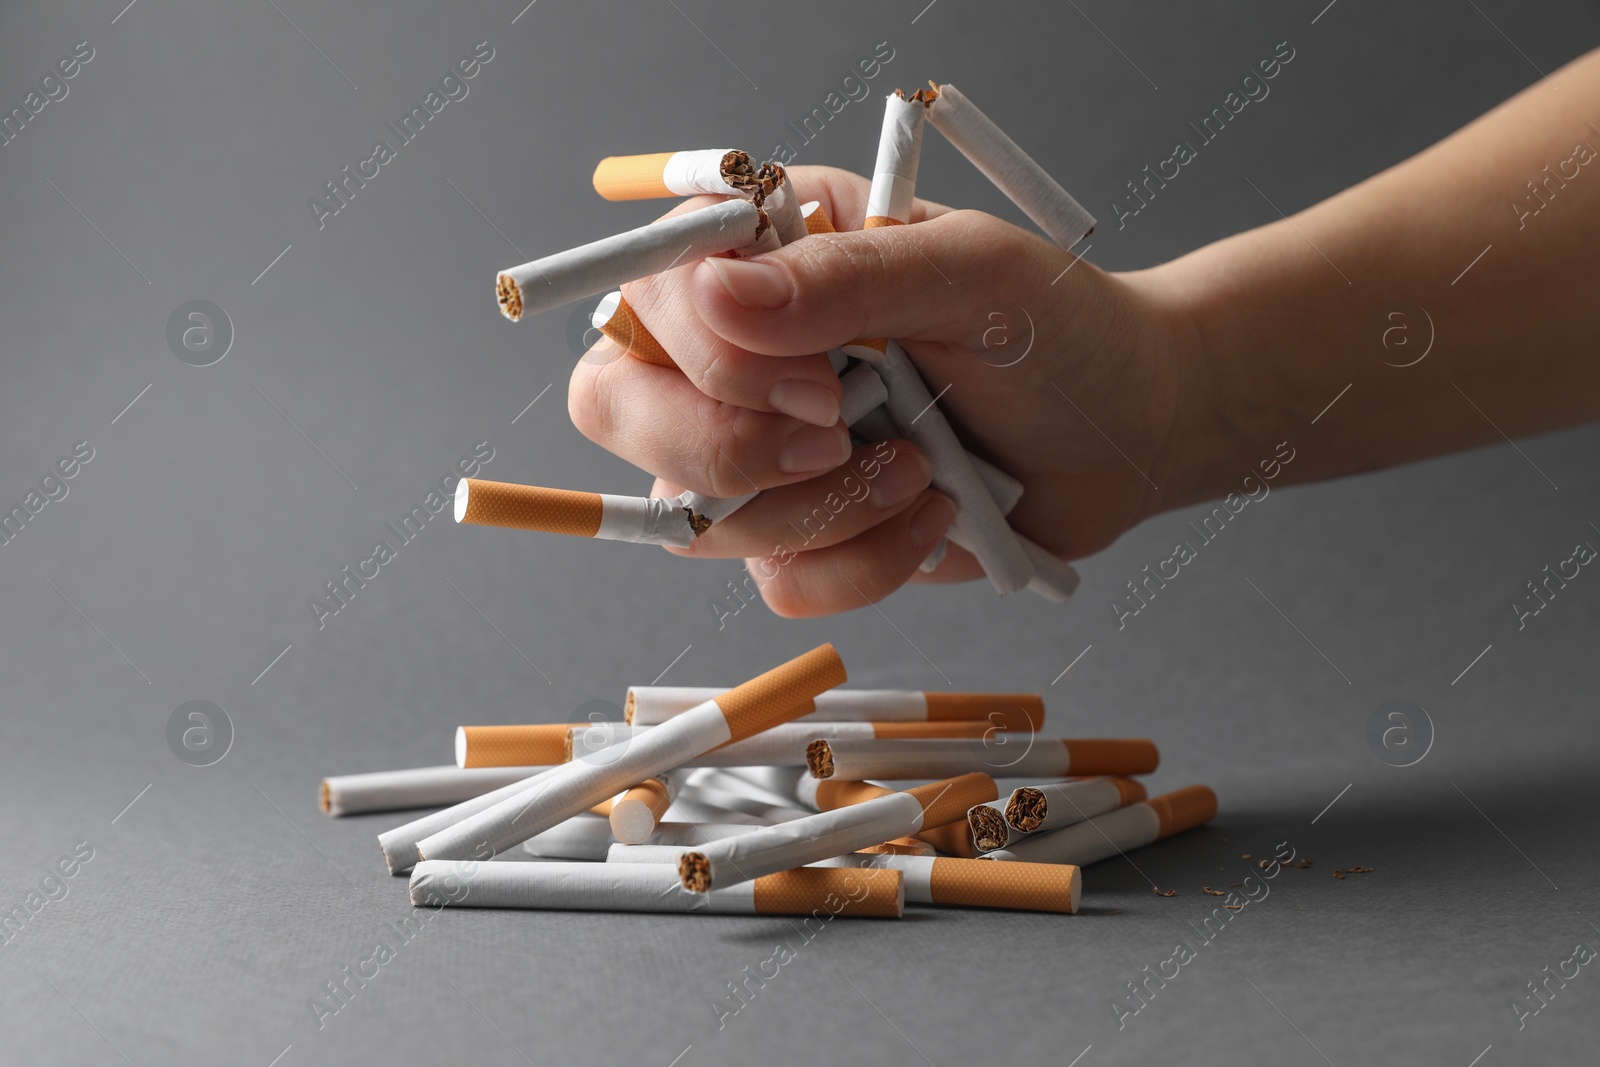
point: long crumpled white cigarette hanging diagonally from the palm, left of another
(980, 527)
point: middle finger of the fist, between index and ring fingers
(655, 418)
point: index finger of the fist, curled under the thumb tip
(802, 386)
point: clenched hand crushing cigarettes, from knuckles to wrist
(1089, 388)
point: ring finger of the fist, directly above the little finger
(881, 481)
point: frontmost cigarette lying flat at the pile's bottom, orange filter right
(655, 889)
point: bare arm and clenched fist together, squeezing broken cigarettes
(1145, 391)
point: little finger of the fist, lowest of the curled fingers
(858, 572)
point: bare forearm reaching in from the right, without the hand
(1290, 314)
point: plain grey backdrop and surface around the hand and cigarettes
(222, 900)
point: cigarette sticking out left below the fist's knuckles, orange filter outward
(638, 519)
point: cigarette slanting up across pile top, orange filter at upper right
(759, 705)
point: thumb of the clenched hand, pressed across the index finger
(890, 282)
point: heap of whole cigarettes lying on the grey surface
(783, 796)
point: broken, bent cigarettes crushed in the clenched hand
(884, 394)
